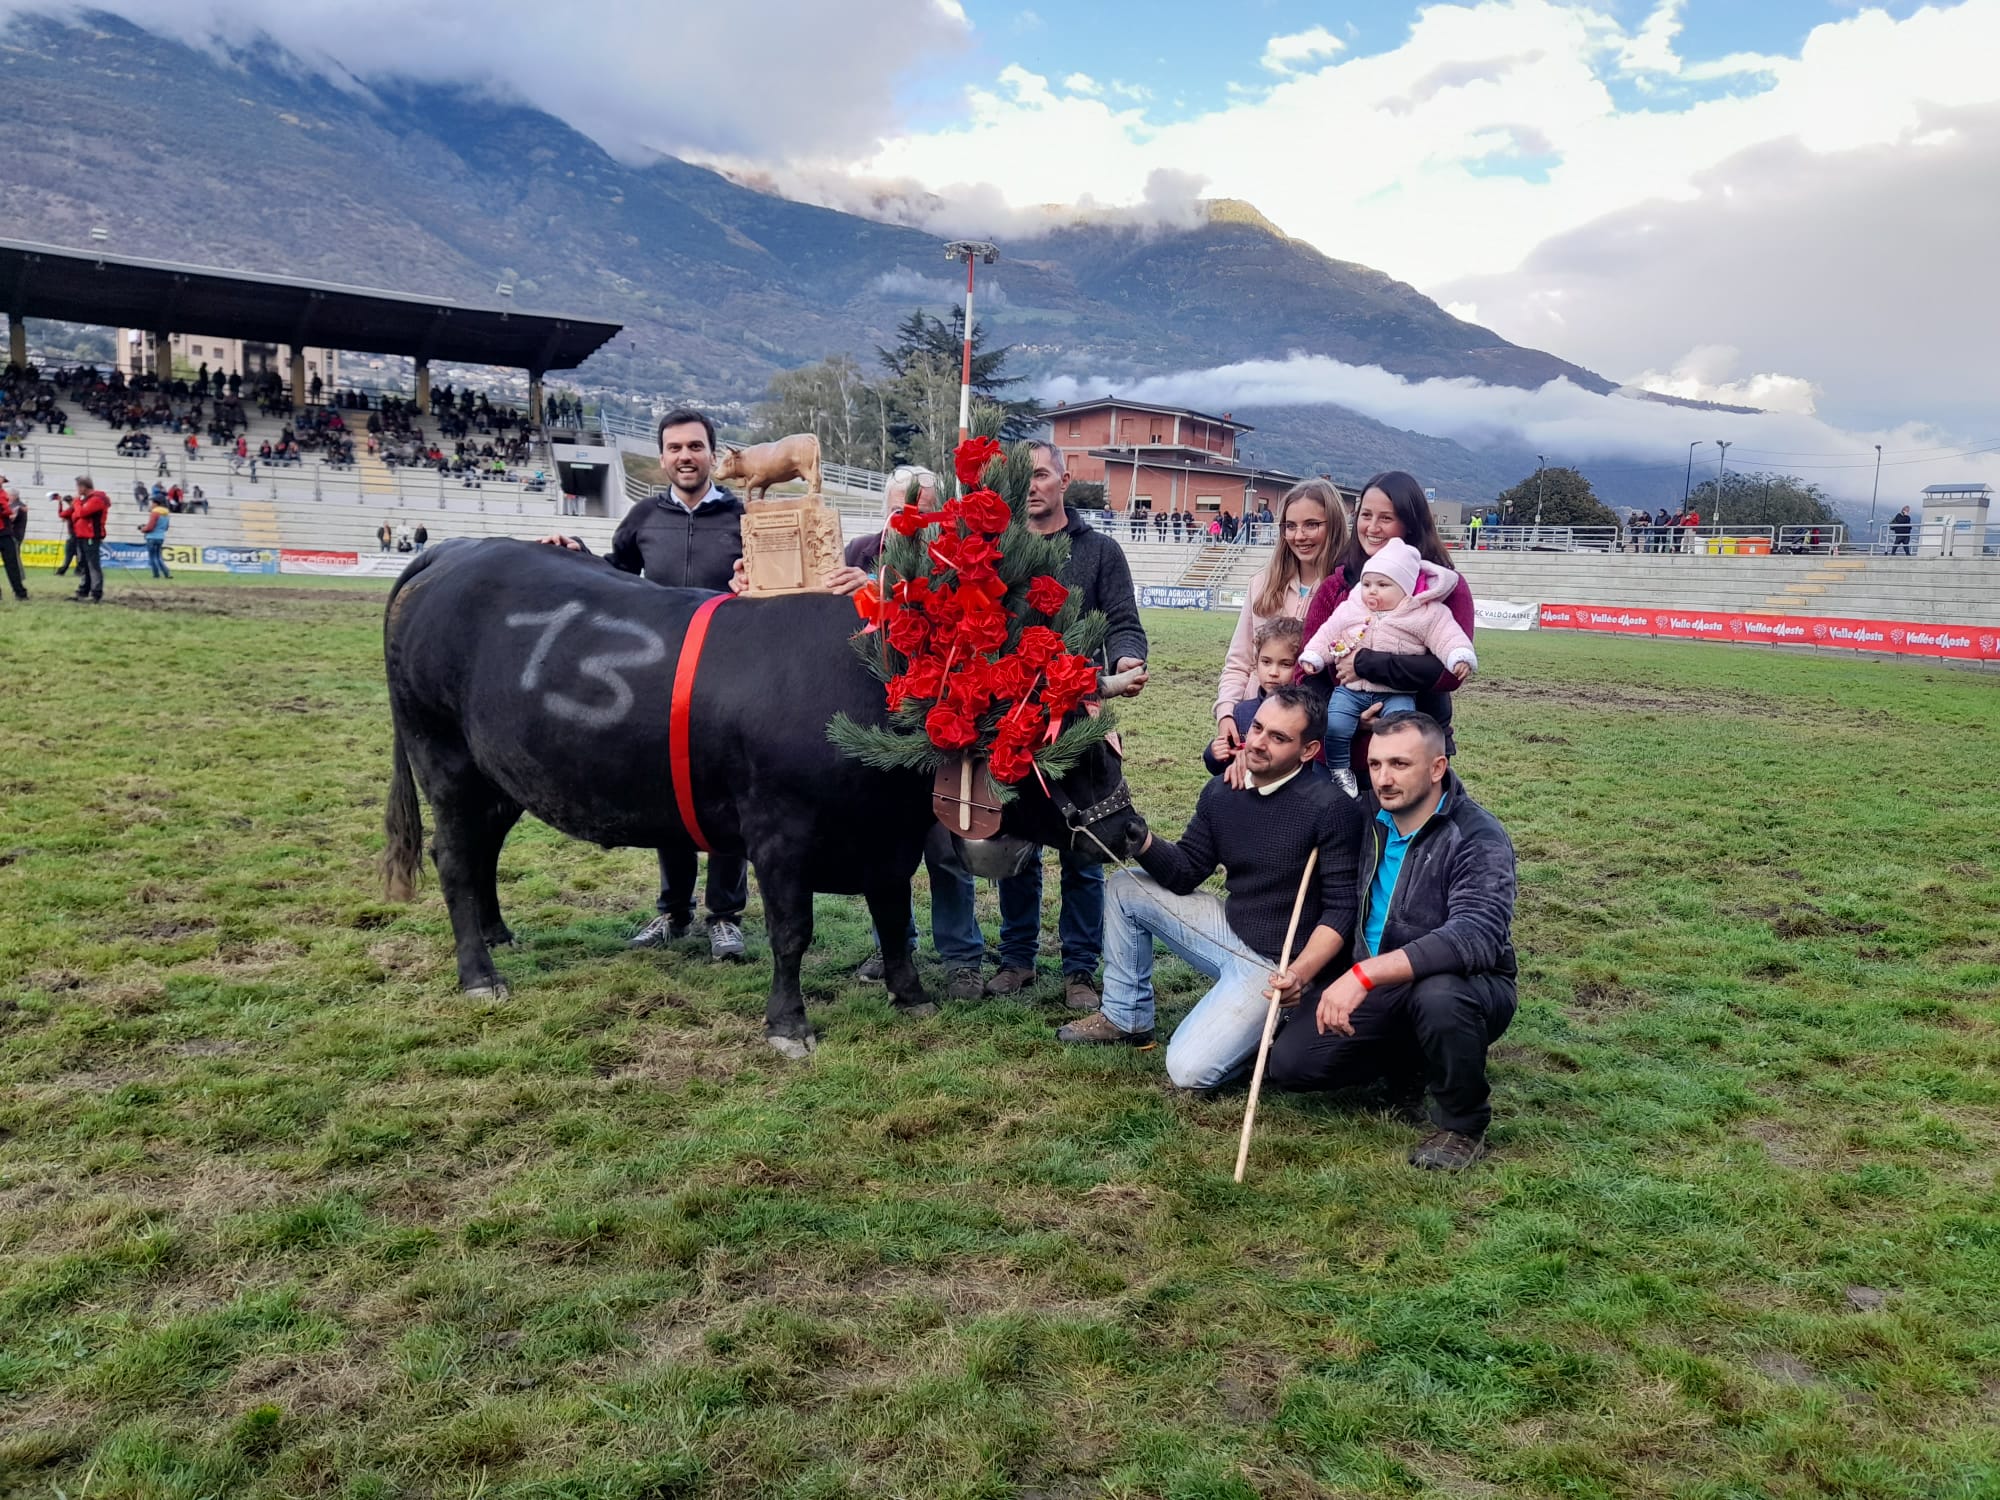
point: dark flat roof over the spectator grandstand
(41, 281)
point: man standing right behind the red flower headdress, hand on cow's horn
(1101, 573)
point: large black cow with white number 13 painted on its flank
(529, 679)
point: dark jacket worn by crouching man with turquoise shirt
(1453, 907)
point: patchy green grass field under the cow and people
(283, 1215)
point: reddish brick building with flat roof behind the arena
(1163, 457)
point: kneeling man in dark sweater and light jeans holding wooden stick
(1261, 835)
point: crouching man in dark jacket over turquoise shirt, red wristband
(1433, 983)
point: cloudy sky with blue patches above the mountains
(1781, 203)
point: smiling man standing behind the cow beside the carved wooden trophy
(687, 537)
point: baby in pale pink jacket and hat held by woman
(1385, 615)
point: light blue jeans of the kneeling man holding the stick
(1223, 1031)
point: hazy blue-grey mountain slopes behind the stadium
(255, 163)
